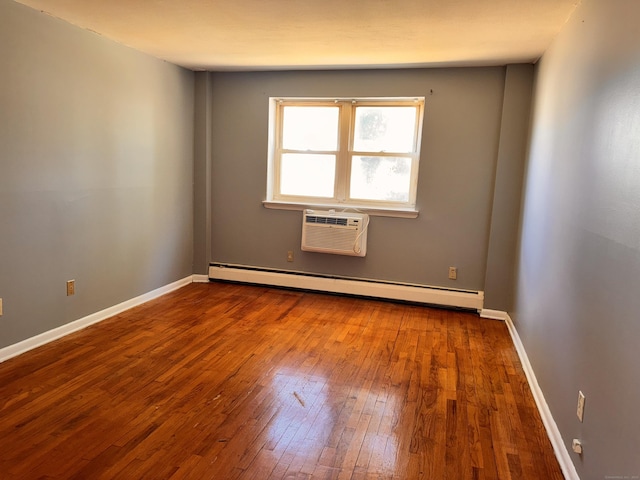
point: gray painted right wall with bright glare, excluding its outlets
(578, 302)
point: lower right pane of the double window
(381, 178)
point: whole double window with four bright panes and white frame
(345, 153)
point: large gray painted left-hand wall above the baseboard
(96, 172)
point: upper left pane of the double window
(310, 128)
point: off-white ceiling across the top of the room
(284, 34)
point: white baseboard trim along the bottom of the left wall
(30, 343)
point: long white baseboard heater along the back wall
(467, 299)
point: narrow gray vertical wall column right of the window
(505, 215)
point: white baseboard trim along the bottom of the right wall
(562, 454)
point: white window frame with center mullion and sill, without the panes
(344, 154)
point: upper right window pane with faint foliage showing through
(384, 129)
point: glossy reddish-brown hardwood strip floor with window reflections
(223, 381)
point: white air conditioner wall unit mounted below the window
(339, 233)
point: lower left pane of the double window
(307, 175)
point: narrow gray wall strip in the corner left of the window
(202, 173)
